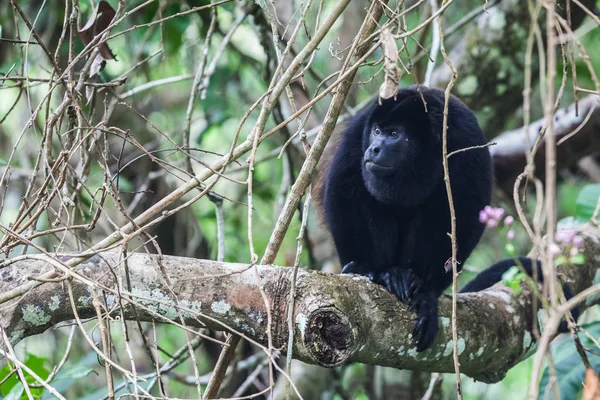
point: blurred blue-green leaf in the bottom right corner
(570, 371)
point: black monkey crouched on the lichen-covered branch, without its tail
(385, 198)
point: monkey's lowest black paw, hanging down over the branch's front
(425, 331)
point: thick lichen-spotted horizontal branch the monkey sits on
(339, 318)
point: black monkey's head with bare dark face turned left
(402, 149)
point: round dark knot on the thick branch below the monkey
(329, 337)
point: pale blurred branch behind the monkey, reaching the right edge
(578, 127)
